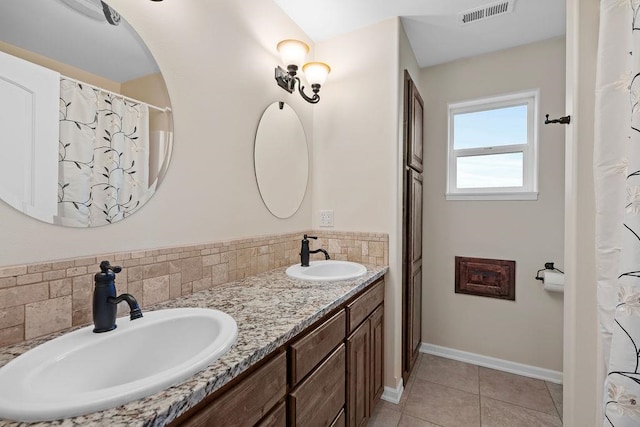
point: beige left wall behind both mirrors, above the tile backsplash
(219, 72)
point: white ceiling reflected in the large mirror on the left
(53, 29)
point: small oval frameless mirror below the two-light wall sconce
(281, 160)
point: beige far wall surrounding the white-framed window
(528, 330)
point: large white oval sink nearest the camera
(82, 371)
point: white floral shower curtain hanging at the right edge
(617, 185)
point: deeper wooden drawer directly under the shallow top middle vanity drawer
(319, 398)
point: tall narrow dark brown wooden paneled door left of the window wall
(412, 228)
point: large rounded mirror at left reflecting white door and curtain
(84, 113)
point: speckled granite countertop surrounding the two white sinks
(269, 308)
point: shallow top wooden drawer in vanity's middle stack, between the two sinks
(307, 352)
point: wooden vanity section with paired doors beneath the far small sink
(365, 355)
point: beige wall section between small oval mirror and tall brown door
(355, 165)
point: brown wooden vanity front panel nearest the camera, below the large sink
(249, 401)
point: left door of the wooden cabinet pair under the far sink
(358, 375)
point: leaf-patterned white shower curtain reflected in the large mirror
(103, 156)
